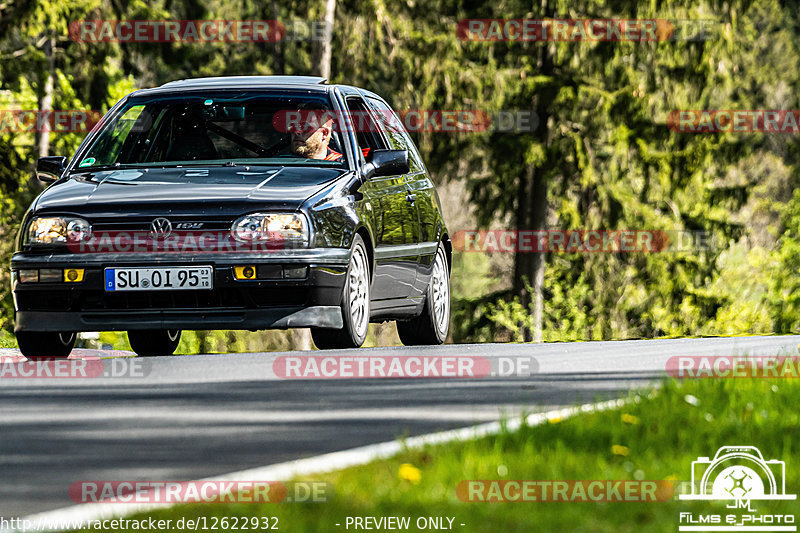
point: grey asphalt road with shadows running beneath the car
(192, 417)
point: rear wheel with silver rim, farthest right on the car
(432, 325)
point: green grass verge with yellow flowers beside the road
(662, 432)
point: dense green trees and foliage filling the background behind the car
(602, 156)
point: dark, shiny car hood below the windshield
(176, 190)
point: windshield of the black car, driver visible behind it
(222, 127)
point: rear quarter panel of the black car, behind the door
(419, 186)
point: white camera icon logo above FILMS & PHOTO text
(738, 473)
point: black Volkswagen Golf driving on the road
(256, 202)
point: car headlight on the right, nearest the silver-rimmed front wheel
(288, 229)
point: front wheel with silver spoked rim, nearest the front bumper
(355, 304)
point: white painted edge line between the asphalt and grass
(68, 517)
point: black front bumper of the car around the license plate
(231, 304)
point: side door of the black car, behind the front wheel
(395, 211)
